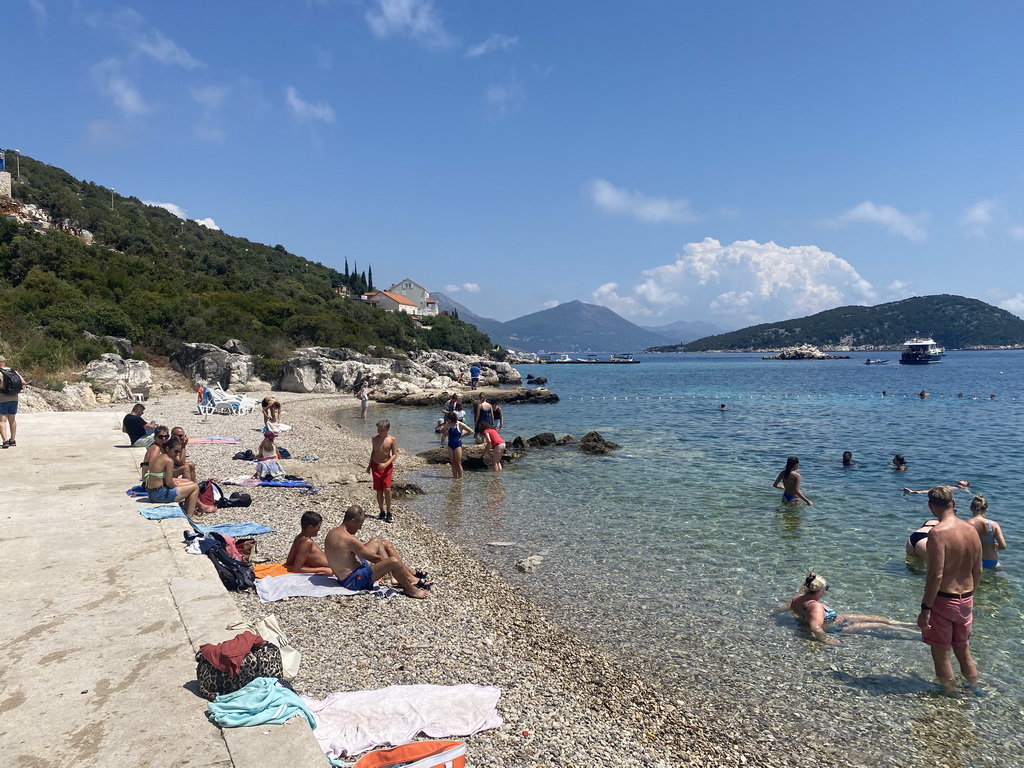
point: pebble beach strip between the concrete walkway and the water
(565, 701)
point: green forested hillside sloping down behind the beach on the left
(158, 280)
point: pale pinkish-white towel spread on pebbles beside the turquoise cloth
(351, 723)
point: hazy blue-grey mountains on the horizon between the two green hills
(573, 327)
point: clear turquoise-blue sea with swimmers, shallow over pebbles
(673, 551)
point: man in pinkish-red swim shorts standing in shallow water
(954, 572)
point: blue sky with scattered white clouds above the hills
(736, 162)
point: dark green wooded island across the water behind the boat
(955, 323)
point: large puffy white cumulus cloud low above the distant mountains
(746, 283)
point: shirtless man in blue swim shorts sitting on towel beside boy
(358, 566)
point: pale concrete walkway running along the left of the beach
(104, 614)
